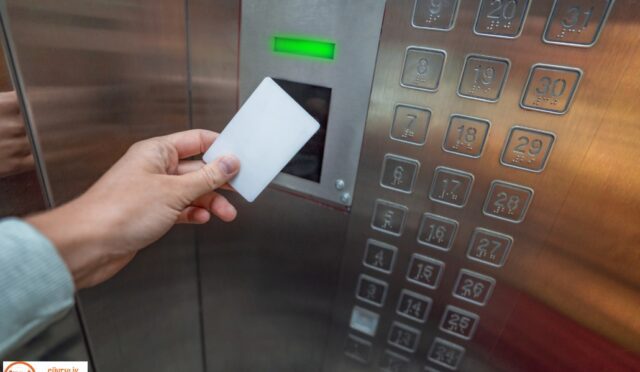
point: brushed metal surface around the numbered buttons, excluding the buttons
(574, 257)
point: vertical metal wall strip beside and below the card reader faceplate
(268, 279)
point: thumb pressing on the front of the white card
(210, 177)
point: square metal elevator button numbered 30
(550, 88)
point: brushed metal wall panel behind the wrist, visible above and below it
(98, 76)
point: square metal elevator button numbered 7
(410, 124)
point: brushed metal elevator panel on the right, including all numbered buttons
(494, 200)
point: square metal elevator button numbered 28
(507, 201)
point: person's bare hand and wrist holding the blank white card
(136, 202)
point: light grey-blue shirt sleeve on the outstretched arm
(36, 286)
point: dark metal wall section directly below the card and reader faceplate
(268, 284)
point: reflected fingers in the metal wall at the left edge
(15, 149)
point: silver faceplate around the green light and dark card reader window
(354, 25)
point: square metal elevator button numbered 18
(466, 136)
